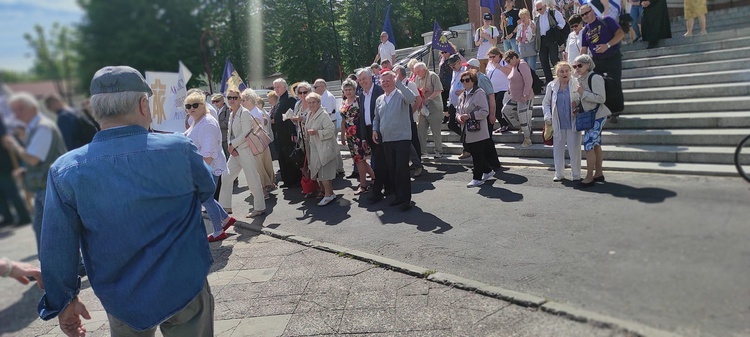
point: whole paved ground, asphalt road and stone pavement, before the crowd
(664, 251)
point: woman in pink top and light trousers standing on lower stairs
(520, 93)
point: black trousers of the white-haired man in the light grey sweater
(397, 161)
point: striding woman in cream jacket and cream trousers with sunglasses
(240, 158)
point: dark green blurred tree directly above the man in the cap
(146, 35)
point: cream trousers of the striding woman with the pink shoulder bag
(244, 162)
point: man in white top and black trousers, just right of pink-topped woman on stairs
(546, 44)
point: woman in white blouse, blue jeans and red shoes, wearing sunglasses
(206, 135)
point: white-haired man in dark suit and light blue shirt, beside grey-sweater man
(366, 99)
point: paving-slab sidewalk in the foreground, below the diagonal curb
(265, 286)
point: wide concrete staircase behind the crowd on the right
(687, 105)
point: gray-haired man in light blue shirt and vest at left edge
(43, 145)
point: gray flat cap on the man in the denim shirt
(112, 79)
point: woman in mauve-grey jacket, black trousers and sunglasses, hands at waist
(471, 113)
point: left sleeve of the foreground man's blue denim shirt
(61, 230)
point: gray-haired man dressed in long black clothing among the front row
(284, 133)
